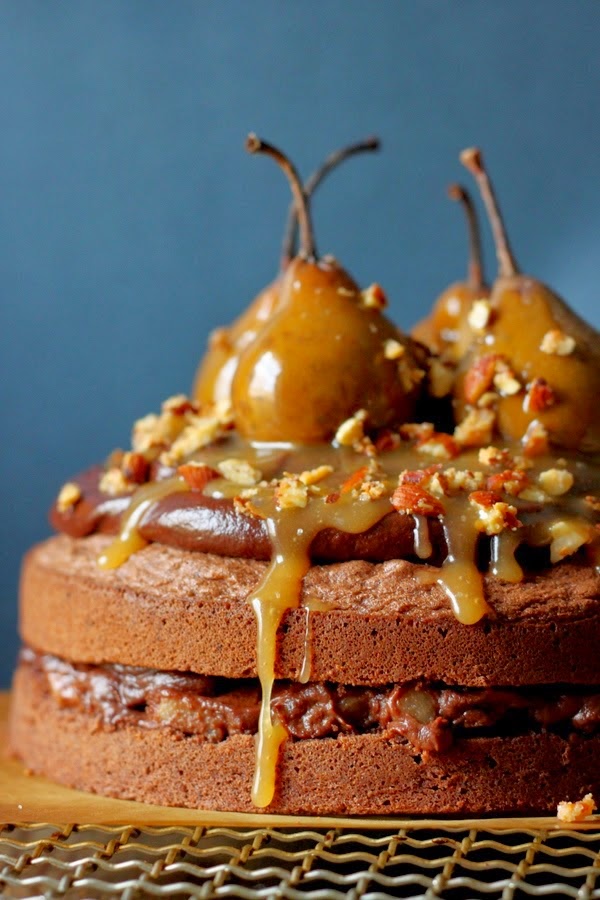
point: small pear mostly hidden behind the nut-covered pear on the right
(443, 331)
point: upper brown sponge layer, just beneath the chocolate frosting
(172, 609)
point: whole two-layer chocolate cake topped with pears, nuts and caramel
(355, 572)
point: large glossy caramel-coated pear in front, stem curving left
(326, 352)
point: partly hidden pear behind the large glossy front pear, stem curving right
(212, 384)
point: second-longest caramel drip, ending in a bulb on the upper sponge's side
(459, 576)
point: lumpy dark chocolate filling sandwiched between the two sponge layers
(430, 716)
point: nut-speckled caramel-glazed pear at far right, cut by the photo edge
(546, 359)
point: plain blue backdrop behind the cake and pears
(132, 222)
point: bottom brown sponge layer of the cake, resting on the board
(370, 774)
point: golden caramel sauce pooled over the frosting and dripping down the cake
(561, 522)
